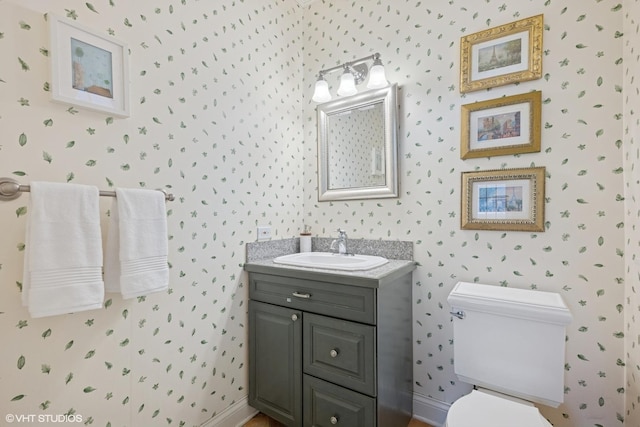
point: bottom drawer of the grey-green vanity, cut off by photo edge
(329, 405)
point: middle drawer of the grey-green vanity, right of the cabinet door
(339, 351)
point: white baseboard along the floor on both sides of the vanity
(426, 409)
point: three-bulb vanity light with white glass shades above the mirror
(354, 73)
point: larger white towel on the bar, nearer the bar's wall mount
(63, 254)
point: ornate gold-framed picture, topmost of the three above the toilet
(510, 53)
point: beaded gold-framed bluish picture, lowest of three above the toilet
(505, 199)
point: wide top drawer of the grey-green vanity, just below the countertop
(343, 301)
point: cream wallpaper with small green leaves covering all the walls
(222, 117)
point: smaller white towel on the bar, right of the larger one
(136, 254)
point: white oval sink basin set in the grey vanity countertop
(332, 261)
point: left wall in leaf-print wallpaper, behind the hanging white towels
(215, 92)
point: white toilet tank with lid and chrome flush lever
(510, 340)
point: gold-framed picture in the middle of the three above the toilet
(502, 126)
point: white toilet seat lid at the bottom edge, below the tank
(482, 409)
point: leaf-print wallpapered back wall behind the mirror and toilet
(581, 253)
